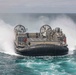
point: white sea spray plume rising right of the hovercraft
(68, 27)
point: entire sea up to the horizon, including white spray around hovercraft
(14, 64)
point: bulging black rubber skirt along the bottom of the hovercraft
(44, 50)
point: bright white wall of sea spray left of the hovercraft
(6, 38)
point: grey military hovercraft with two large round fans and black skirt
(48, 42)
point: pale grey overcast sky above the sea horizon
(37, 6)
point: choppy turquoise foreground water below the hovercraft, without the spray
(47, 65)
